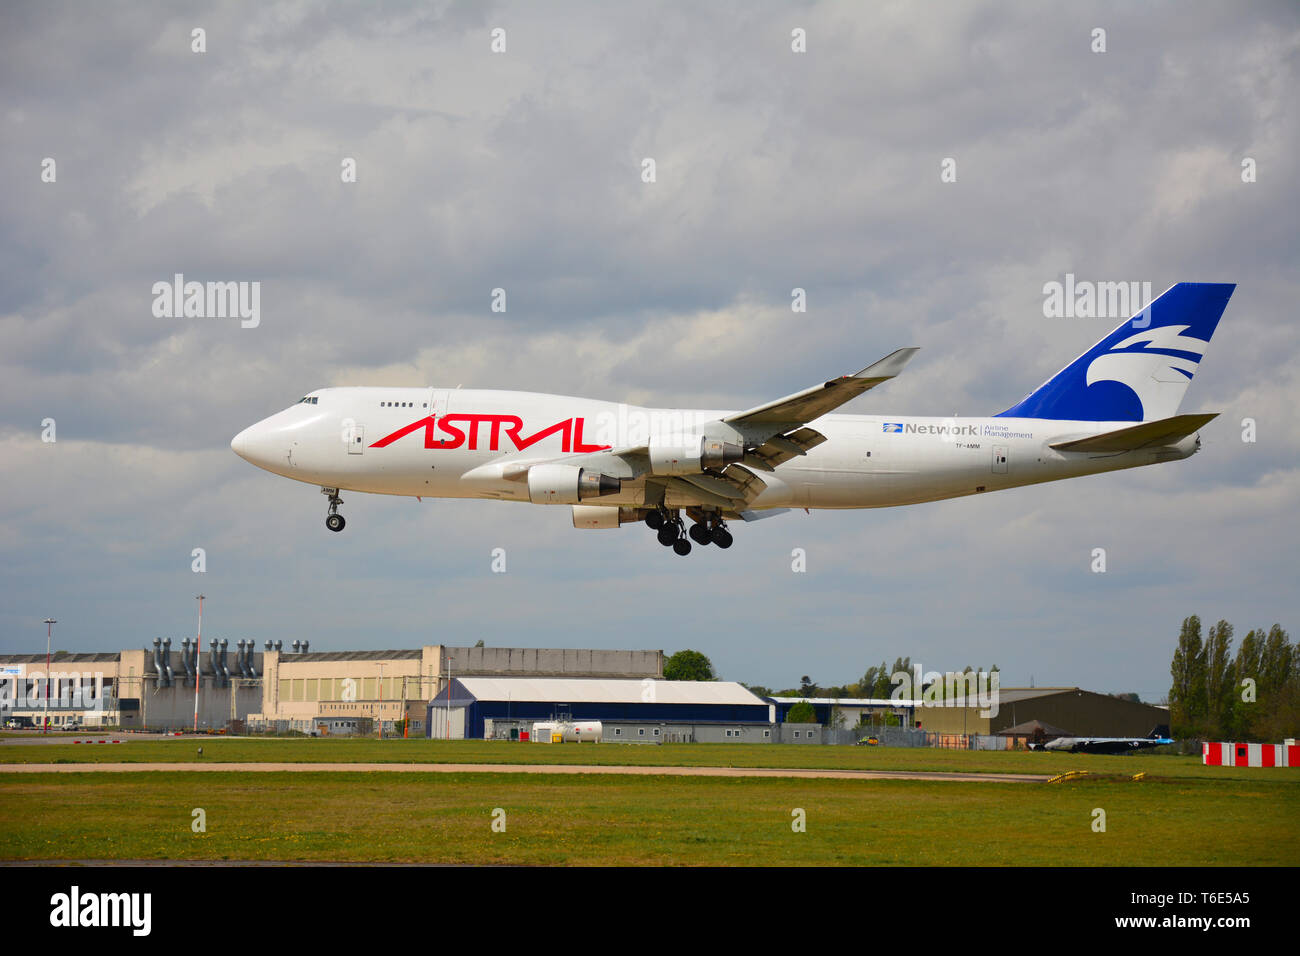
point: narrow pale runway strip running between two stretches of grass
(515, 769)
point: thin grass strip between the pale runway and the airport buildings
(370, 751)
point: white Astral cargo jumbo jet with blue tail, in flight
(1113, 408)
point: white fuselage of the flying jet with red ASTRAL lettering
(384, 442)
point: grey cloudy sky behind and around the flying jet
(522, 170)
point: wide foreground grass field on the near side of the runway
(645, 820)
